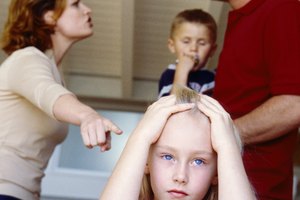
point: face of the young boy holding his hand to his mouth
(192, 39)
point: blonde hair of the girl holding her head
(183, 95)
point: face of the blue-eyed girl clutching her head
(182, 164)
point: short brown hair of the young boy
(198, 16)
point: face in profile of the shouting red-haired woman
(75, 23)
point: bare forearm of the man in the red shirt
(272, 119)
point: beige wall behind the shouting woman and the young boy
(127, 53)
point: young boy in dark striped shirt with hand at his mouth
(193, 40)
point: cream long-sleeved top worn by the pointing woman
(30, 83)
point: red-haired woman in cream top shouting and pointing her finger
(33, 100)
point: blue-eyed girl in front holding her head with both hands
(185, 147)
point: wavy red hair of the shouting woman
(25, 25)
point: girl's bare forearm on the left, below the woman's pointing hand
(126, 179)
